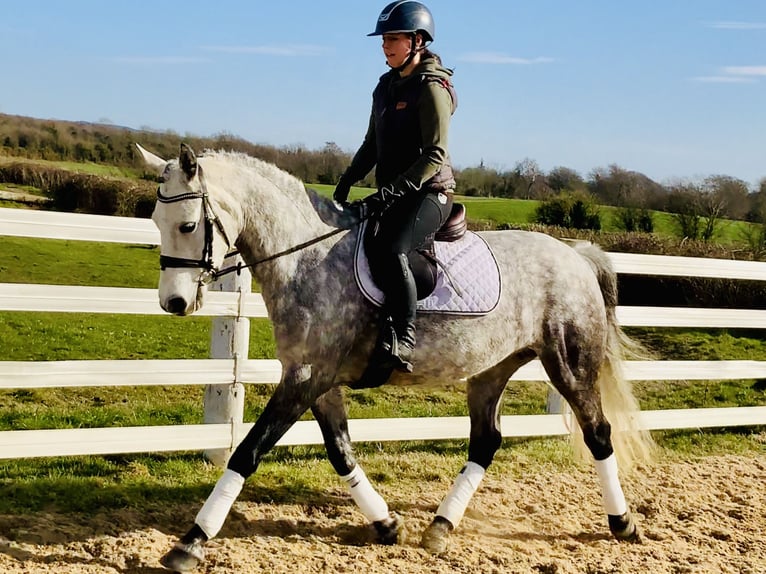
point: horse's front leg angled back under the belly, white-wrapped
(330, 412)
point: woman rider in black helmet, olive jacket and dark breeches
(406, 142)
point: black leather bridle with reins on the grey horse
(209, 271)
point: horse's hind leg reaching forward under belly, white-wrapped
(484, 392)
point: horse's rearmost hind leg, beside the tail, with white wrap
(574, 372)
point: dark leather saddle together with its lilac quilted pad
(455, 274)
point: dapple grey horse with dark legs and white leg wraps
(557, 304)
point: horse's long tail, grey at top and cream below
(631, 443)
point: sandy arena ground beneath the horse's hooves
(703, 516)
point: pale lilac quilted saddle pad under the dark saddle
(472, 287)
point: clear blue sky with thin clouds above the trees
(670, 88)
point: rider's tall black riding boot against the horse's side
(402, 309)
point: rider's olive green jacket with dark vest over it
(406, 140)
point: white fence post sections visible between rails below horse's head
(229, 338)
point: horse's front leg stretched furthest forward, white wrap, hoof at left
(292, 397)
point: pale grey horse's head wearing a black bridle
(193, 234)
